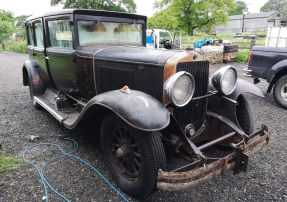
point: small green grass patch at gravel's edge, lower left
(8, 162)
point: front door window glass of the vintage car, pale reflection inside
(60, 32)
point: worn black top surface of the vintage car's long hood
(141, 55)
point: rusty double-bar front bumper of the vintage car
(211, 167)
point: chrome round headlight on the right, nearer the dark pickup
(224, 80)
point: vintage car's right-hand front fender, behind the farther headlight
(241, 87)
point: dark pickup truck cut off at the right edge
(270, 64)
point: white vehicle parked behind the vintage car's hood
(162, 39)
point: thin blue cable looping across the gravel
(45, 182)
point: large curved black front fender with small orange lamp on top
(137, 109)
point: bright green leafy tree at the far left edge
(6, 26)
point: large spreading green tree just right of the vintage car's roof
(188, 15)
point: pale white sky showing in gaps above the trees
(144, 7)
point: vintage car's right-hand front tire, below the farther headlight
(245, 115)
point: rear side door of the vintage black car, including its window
(36, 49)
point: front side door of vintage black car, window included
(60, 54)
